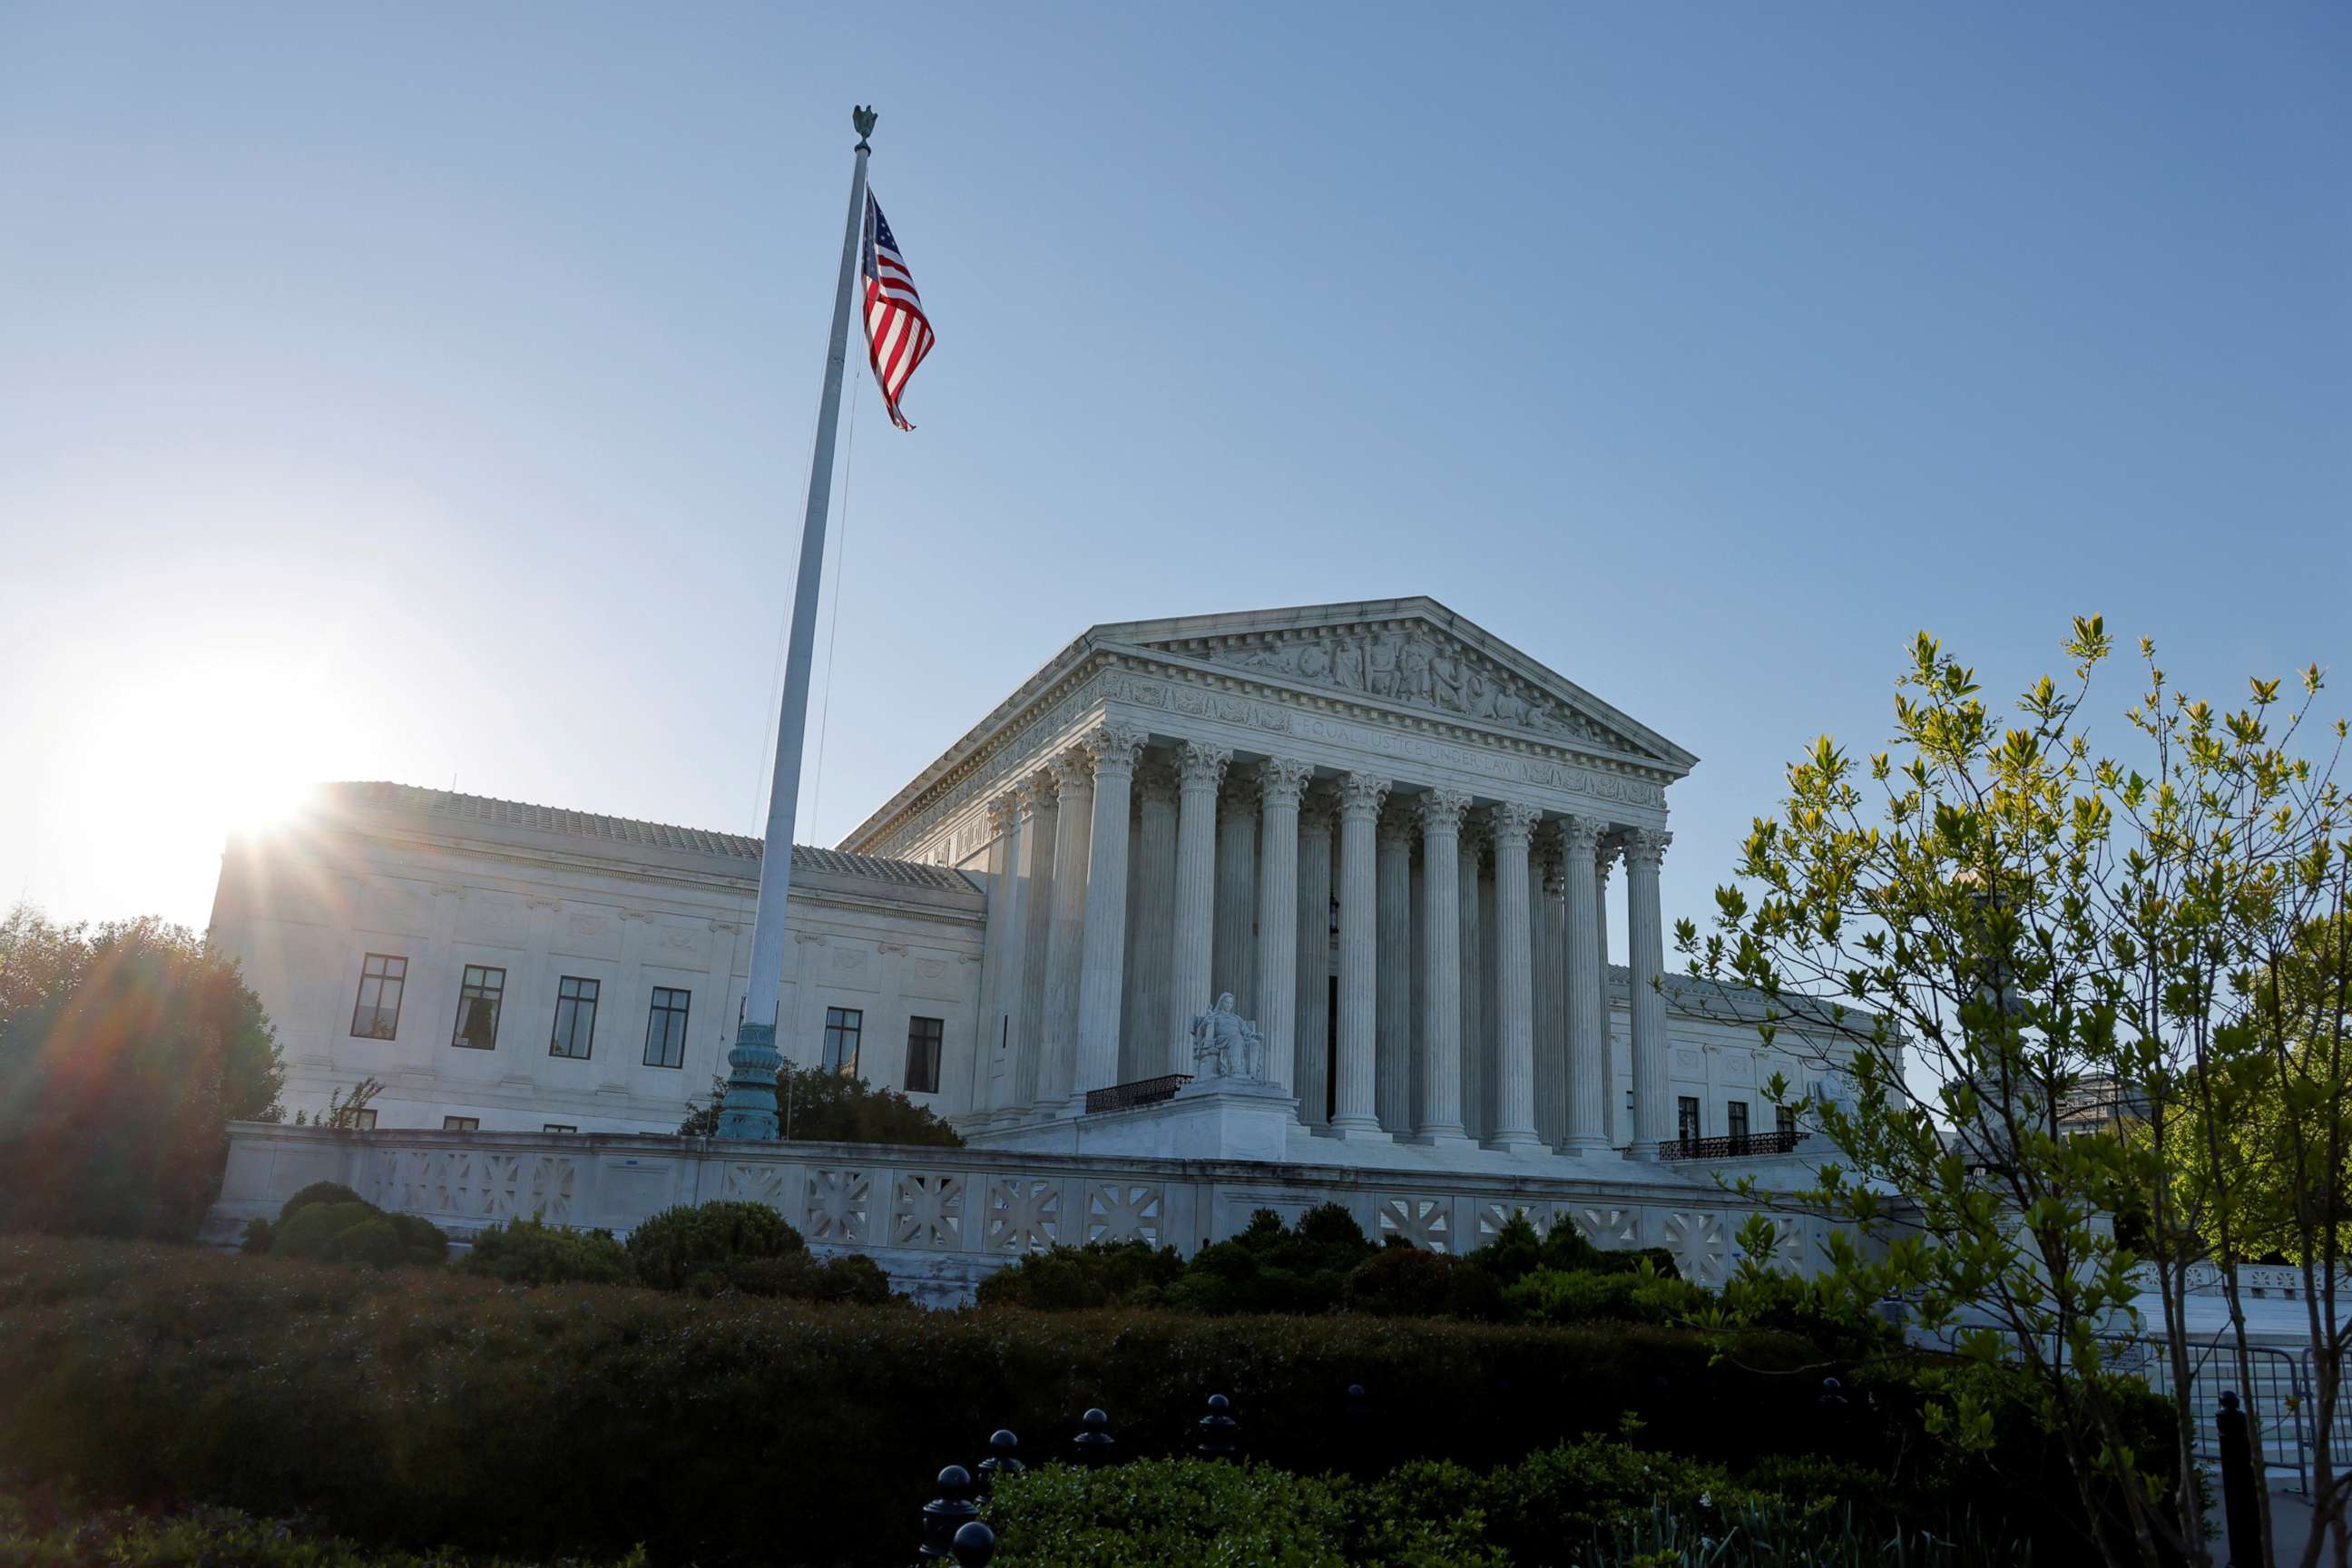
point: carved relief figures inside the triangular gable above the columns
(1403, 666)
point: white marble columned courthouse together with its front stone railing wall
(1396, 840)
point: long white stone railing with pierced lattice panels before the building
(942, 1219)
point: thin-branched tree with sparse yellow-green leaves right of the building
(1993, 923)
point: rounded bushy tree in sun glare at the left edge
(123, 1054)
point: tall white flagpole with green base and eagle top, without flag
(749, 1108)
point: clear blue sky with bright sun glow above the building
(425, 391)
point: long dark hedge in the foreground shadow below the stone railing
(427, 1409)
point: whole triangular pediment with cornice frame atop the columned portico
(1410, 655)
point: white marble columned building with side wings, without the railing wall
(1391, 838)
